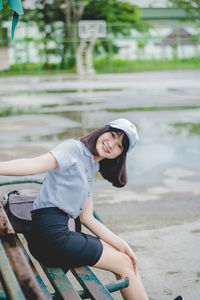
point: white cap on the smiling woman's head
(129, 129)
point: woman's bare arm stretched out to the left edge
(29, 166)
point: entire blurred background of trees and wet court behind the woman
(145, 67)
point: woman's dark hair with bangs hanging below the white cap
(113, 170)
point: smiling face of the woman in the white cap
(109, 145)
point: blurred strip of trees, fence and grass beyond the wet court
(161, 34)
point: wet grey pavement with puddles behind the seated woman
(159, 210)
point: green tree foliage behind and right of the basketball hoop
(121, 18)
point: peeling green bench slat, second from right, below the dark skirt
(61, 283)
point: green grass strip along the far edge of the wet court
(106, 65)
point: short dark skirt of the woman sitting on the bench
(52, 243)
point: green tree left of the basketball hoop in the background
(55, 20)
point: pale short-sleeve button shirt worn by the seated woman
(68, 186)
